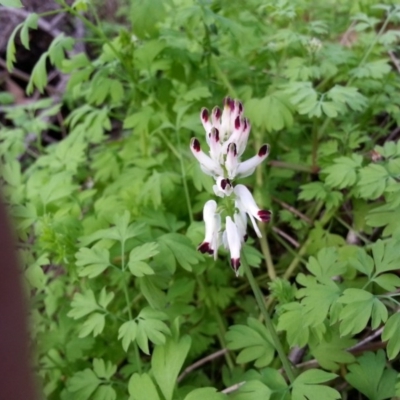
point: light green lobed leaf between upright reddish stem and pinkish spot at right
(343, 173)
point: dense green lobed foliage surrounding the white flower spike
(107, 199)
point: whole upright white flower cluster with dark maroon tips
(227, 132)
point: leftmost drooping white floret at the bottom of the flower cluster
(212, 220)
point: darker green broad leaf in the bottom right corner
(371, 378)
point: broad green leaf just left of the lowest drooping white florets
(177, 248)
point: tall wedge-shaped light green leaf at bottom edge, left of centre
(167, 361)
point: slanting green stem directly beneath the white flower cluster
(268, 322)
